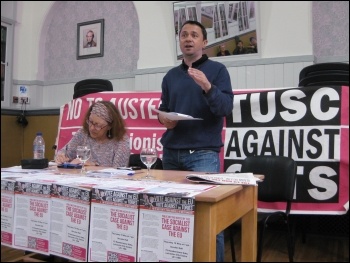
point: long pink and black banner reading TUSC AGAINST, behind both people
(311, 125)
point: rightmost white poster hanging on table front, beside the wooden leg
(166, 228)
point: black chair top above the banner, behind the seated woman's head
(88, 86)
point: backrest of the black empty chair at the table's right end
(279, 181)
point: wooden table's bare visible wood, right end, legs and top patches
(215, 210)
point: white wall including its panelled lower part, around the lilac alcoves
(285, 45)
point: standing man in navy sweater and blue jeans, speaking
(201, 88)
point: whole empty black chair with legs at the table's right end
(278, 186)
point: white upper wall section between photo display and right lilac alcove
(286, 28)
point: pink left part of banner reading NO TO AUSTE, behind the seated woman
(136, 109)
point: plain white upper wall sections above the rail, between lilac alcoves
(292, 37)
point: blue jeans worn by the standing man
(198, 161)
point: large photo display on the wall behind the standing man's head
(232, 26)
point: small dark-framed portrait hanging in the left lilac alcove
(90, 39)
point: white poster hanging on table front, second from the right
(113, 225)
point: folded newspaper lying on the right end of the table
(224, 178)
